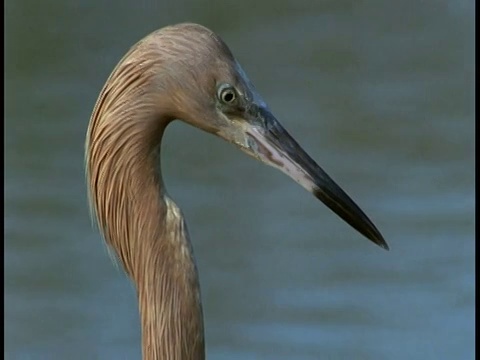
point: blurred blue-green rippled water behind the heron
(381, 94)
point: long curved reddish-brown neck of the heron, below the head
(143, 226)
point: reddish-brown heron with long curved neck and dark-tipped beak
(180, 72)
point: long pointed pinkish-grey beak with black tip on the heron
(269, 142)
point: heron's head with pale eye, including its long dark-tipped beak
(215, 94)
